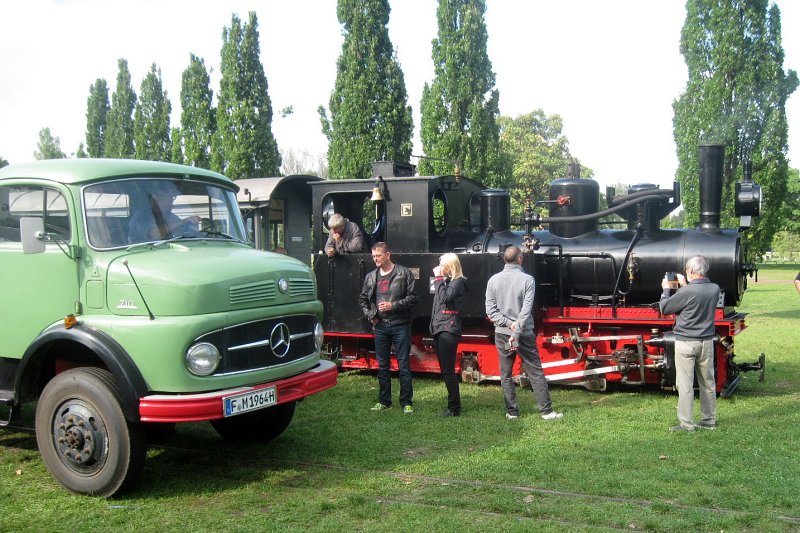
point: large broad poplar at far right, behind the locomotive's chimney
(735, 95)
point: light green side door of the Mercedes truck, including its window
(38, 289)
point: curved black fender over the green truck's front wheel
(130, 382)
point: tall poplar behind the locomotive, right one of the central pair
(461, 106)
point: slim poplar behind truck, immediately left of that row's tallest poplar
(197, 114)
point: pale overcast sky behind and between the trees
(610, 68)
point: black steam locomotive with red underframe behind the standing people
(597, 290)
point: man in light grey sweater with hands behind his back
(509, 305)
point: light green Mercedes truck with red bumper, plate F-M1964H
(132, 301)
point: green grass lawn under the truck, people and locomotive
(610, 464)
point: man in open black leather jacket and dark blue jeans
(386, 299)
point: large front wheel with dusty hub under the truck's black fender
(83, 437)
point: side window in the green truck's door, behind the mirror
(17, 202)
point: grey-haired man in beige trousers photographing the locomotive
(693, 305)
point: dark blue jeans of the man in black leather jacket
(400, 336)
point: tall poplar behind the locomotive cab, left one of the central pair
(370, 118)
